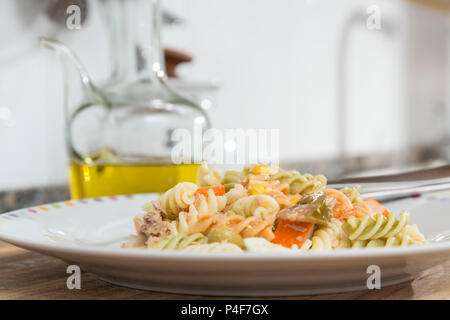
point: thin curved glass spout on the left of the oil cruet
(77, 84)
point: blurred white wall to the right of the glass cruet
(278, 62)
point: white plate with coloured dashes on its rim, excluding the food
(89, 233)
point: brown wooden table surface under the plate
(29, 275)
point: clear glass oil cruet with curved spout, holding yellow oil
(119, 133)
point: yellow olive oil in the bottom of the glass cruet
(87, 181)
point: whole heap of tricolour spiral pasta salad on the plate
(266, 208)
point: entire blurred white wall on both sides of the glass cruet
(277, 62)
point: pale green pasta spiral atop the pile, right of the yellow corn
(300, 183)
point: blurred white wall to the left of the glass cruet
(32, 145)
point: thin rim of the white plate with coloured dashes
(320, 255)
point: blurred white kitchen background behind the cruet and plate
(348, 100)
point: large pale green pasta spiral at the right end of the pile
(367, 228)
